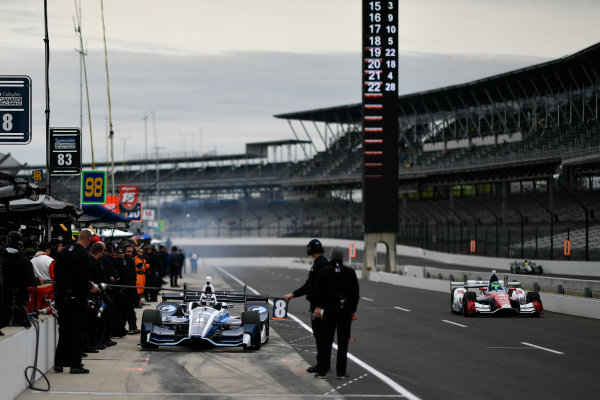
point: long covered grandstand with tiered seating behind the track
(511, 161)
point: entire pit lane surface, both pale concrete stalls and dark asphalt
(409, 335)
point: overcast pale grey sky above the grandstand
(215, 72)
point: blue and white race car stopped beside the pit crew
(203, 317)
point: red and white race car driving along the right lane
(493, 297)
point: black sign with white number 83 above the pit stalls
(65, 151)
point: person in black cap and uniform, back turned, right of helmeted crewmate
(335, 298)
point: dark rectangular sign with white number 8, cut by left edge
(15, 109)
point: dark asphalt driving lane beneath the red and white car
(412, 337)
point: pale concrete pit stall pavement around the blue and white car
(126, 371)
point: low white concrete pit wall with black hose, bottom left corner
(17, 352)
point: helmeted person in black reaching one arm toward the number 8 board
(314, 248)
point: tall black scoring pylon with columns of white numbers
(380, 129)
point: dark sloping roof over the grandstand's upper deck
(573, 71)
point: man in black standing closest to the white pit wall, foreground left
(72, 288)
